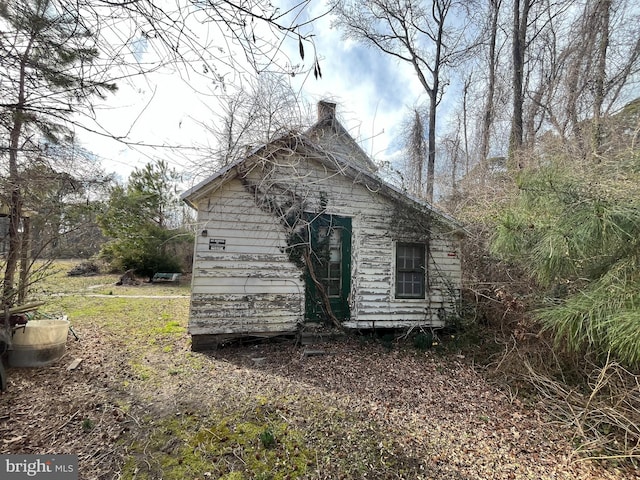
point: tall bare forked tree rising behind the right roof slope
(429, 36)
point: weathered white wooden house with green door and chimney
(303, 230)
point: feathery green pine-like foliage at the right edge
(577, 236)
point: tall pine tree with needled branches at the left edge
(49, 73)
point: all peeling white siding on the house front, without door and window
(252, 287)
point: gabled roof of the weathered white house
(339, 152)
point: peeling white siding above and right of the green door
(378, 223)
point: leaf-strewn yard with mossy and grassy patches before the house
(142, 405)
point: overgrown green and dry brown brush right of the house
(558, 282)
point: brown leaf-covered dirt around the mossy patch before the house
(426, 415)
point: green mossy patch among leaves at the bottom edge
(219, 447)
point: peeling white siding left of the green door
(249, 287)
